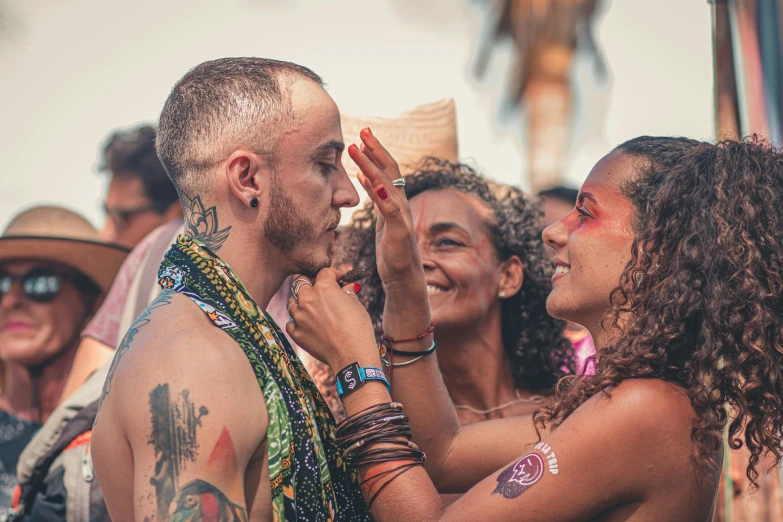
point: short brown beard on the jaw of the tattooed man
(288, 228)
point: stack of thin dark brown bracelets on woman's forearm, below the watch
(384, 424)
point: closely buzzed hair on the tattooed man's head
(224, 104)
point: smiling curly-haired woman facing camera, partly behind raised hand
(488, 277)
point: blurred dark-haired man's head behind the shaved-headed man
(141, 196)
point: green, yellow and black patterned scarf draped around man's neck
(308, 478)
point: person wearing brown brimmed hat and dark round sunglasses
(54, 272)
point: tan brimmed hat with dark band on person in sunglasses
(61, 236)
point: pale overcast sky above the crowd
(72, 70)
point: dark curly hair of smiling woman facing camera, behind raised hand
(533, 340)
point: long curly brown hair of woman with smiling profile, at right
(700, 300)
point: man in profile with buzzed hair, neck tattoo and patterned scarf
(206, 412)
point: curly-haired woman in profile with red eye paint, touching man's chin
(673, 259)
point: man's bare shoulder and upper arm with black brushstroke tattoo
(183, 407)
